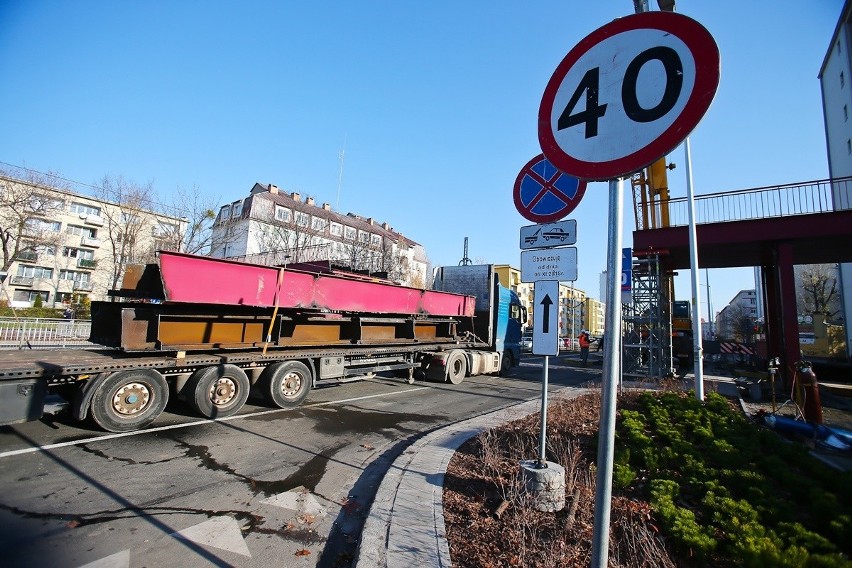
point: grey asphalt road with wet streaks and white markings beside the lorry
(268, 487)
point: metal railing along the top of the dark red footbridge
(820, 196)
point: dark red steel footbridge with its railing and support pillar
(782, 226)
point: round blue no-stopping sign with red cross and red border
(544, 194)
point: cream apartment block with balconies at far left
(60, 246)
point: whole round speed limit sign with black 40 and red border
(627, 94)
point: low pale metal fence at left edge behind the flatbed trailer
(44, 333)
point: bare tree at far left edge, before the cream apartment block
(26, 215)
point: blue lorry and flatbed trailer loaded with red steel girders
(212, 331)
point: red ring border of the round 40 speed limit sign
(706, 54)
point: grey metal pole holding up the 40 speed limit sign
(609, 380)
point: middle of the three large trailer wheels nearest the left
(218, 391)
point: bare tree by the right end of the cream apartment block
(125, 222)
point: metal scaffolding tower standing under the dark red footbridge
(647, 345)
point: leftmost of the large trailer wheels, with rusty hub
(129, 400)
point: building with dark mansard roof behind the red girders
(276, 228)
